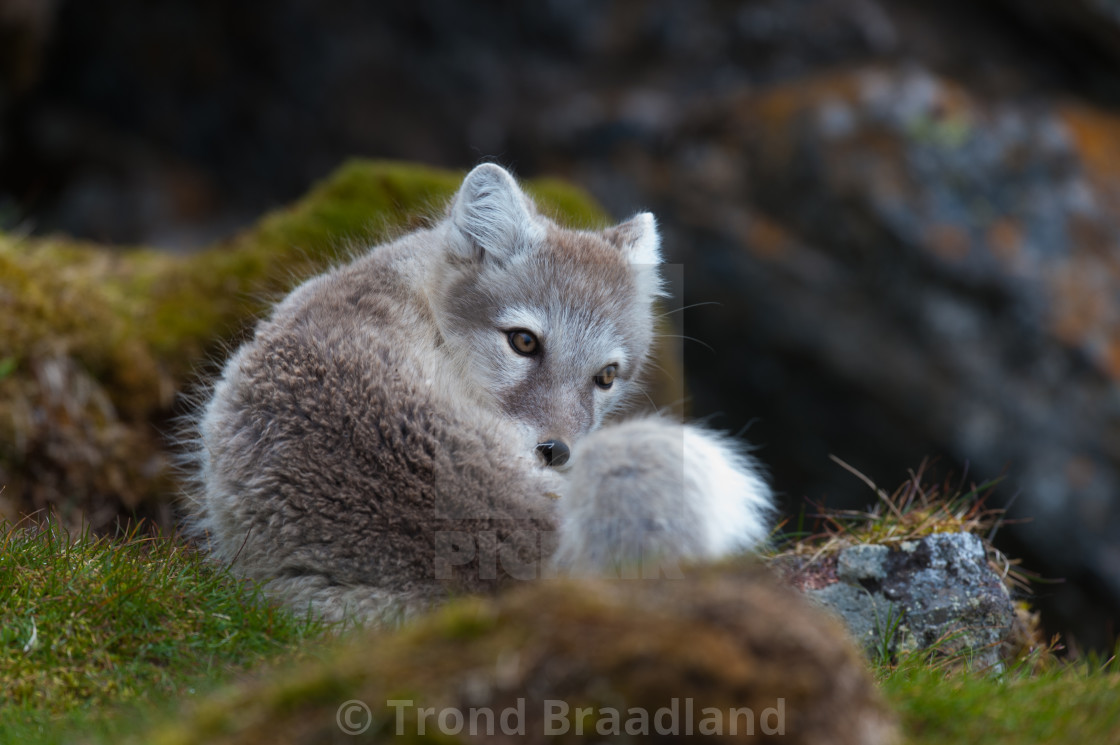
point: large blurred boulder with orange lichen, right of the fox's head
(911, 268)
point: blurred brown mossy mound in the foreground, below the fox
(723, 642)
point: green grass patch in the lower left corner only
(88, 625)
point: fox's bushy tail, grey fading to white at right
(647, 493)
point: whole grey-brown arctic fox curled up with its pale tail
(430, 418)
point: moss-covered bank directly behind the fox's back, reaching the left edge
(100, 342)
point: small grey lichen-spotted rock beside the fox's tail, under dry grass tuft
(937, 593)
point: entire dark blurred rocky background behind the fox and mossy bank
(908, 211)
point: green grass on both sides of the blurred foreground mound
(127, 629)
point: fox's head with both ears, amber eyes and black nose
(554, 324)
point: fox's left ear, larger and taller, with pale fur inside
(492, 215)
